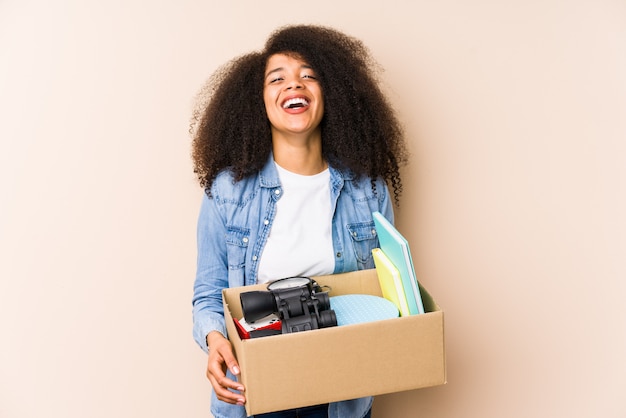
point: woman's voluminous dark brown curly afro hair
(360, 131)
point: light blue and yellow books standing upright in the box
(394, 266)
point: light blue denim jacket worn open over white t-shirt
(233, 227)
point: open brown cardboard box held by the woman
(338, 363)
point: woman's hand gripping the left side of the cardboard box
(221, 357)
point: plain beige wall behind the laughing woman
(514, 199)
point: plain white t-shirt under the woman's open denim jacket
(300, 241)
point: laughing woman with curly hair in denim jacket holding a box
(295, 147)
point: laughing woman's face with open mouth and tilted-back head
(293, 97)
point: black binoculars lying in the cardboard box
(299, 302)
